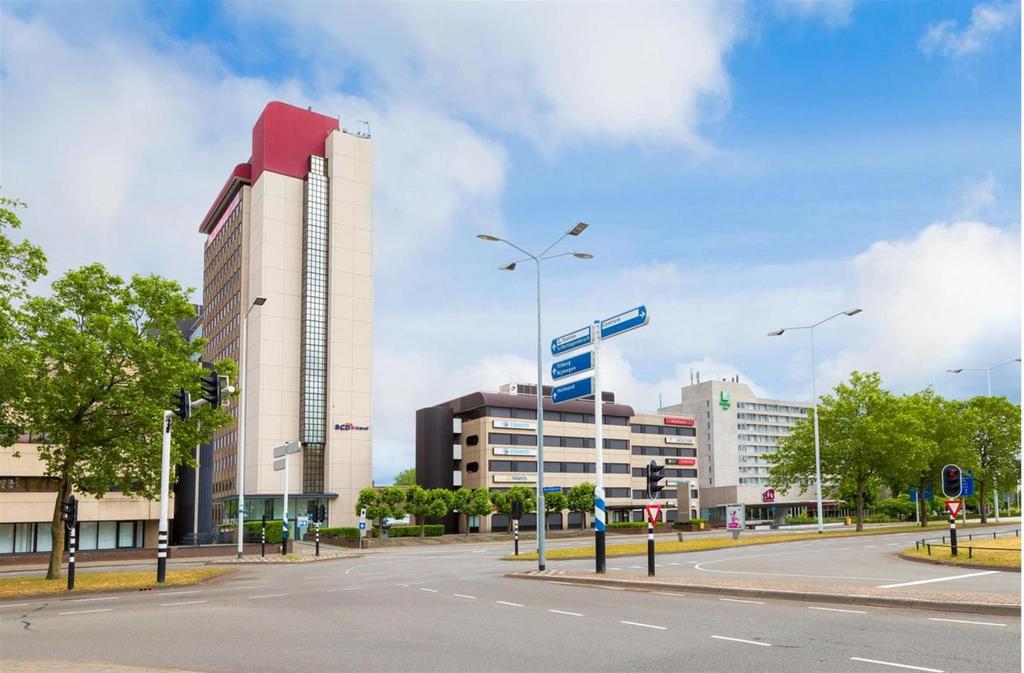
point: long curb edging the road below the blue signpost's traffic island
(807, 597)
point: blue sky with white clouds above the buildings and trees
(743, 166)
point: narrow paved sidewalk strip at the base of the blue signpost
(961, 602)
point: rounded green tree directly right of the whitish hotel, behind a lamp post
(859, 427)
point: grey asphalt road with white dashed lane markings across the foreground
(451, 609)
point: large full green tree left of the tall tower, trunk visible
(105, 358)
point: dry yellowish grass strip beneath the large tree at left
(20, 587)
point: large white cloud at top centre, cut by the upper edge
(554, 73)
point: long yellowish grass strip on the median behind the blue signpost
(670, 548)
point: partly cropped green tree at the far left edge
(21, 265)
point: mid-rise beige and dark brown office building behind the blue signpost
(489, 440)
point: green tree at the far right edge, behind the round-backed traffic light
(994, 428)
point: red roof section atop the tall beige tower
(284, 139)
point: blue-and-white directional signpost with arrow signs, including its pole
(591, 386)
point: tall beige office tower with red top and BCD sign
(290, 245)
